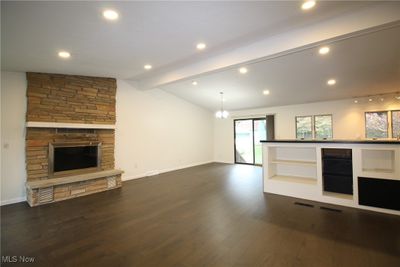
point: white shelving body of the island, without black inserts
(295, 169)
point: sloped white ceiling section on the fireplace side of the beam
(163, 34)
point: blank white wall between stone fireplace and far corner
(157, 132)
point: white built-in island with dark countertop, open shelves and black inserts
(362, 174)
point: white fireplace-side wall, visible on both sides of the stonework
(155, 132)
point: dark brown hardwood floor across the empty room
(210, 215)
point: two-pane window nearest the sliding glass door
(318, 127)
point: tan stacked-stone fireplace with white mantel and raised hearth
(70, 137)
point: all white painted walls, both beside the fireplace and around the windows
(158, 132)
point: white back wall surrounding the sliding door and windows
(348, 121)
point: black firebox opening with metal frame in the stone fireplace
(65, 158)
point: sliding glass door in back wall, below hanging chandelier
(248, 133)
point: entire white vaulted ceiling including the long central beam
(275, 39)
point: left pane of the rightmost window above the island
(376, 124)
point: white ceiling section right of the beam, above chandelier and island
(363, 65)
